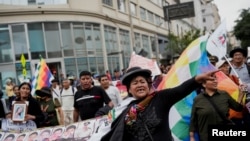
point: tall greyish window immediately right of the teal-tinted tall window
(53, 44)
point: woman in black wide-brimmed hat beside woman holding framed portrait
(50, 107)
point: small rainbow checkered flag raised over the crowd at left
(42, 76)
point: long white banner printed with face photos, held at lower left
(87, 130)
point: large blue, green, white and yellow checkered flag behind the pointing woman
(192, 61)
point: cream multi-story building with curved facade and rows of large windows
(77, 35)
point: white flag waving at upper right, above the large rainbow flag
(217, 42)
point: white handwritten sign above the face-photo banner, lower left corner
(10, 126)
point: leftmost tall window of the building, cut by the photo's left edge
(5, 46)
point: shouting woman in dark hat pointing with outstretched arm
(146, 118)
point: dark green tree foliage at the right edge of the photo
(242, 28)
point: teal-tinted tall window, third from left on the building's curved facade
(36, 40)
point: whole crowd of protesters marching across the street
(71, 100)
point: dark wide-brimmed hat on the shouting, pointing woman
(132, 72)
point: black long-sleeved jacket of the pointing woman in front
(155, 117)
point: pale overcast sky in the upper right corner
(230, 10)
